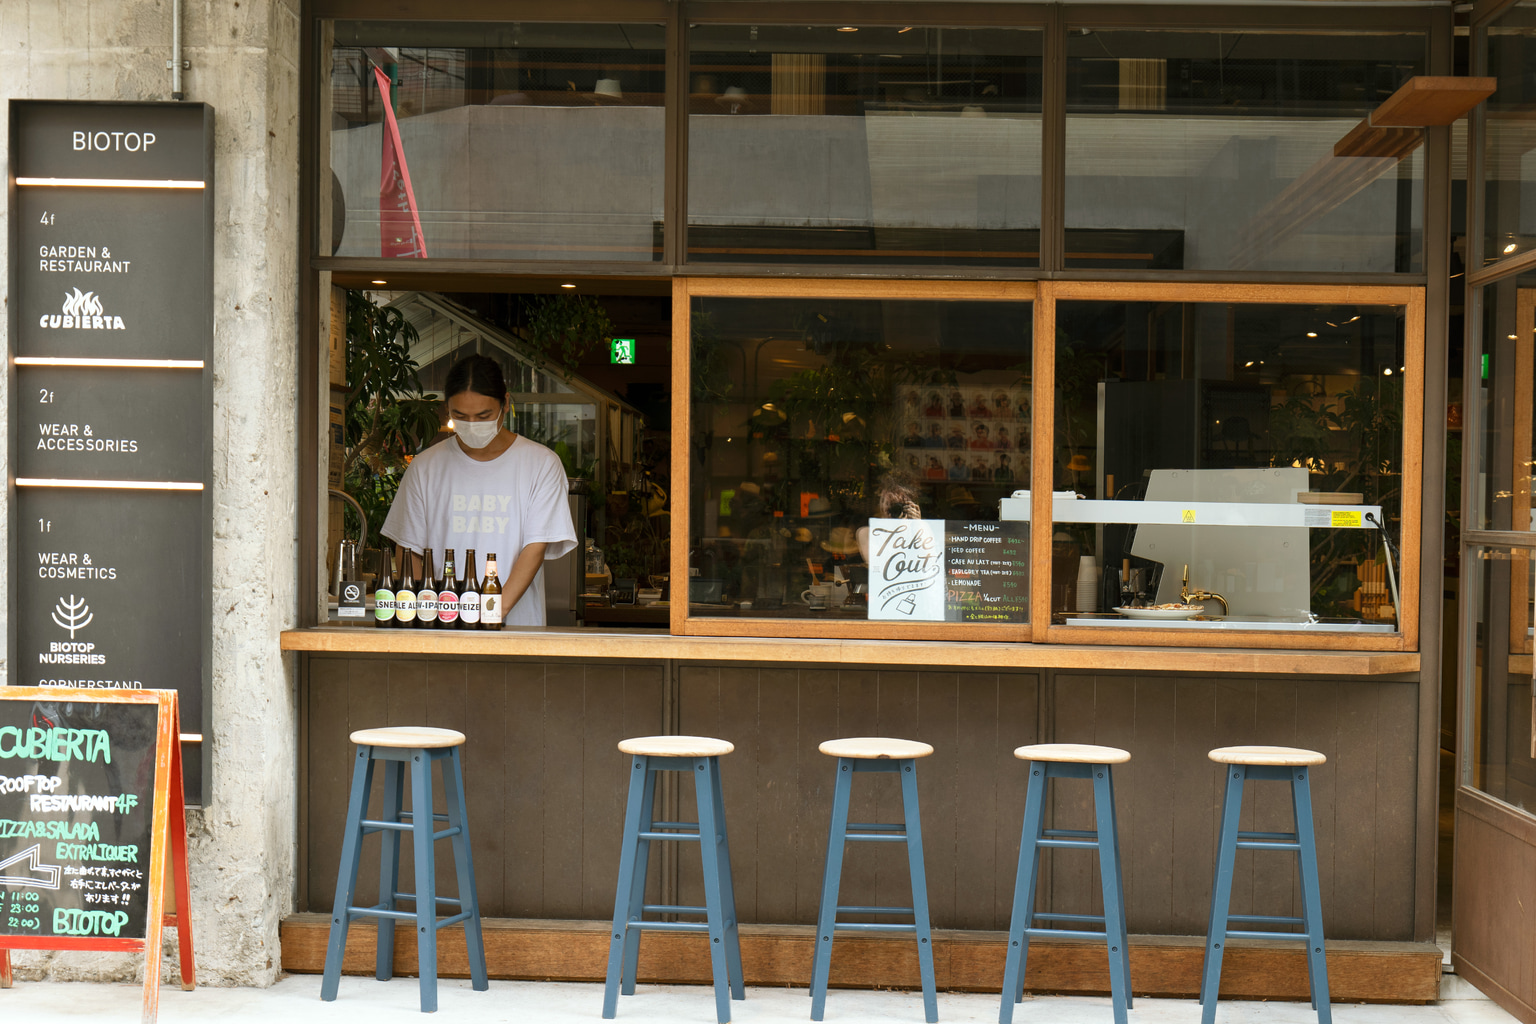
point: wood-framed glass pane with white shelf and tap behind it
(1248, 457)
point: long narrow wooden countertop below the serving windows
(637, 644)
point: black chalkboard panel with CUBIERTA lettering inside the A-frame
(78, 808)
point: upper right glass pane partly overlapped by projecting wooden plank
(1214, 151)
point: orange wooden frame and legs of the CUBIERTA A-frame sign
(170, 822)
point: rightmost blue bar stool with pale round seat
(1266, 764)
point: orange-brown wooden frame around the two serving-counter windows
(1045, 297)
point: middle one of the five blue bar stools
(875, 755)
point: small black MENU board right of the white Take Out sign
(987, 572)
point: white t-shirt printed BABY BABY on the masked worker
(449, 501)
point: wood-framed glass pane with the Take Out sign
(850, 458)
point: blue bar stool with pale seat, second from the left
(701, 758)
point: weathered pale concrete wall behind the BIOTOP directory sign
(245, 64)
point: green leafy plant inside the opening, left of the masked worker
(386, 420)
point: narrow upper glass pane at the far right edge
(1509, 188)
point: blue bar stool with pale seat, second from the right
(1070, 761)
